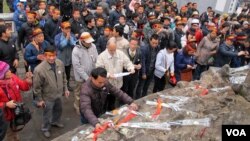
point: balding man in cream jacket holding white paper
(114, 61)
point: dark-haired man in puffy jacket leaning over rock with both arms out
(94, 94)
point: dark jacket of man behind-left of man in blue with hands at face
(51, 29)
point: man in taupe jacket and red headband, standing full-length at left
(49, 83)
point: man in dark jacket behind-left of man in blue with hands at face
(52, 27)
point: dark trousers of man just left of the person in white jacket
(143, 85)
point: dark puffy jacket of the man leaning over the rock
(92, 99)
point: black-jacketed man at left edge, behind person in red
(8, 51)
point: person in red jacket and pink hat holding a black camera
(10, 96)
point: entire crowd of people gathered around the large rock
(148, 39)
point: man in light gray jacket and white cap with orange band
(84, 57)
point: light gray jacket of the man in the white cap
(83, 60)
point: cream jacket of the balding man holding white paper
(114, 65)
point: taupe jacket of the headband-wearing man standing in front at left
(47, 85)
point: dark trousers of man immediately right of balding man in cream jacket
(129, 84)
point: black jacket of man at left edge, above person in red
(8, 53)
